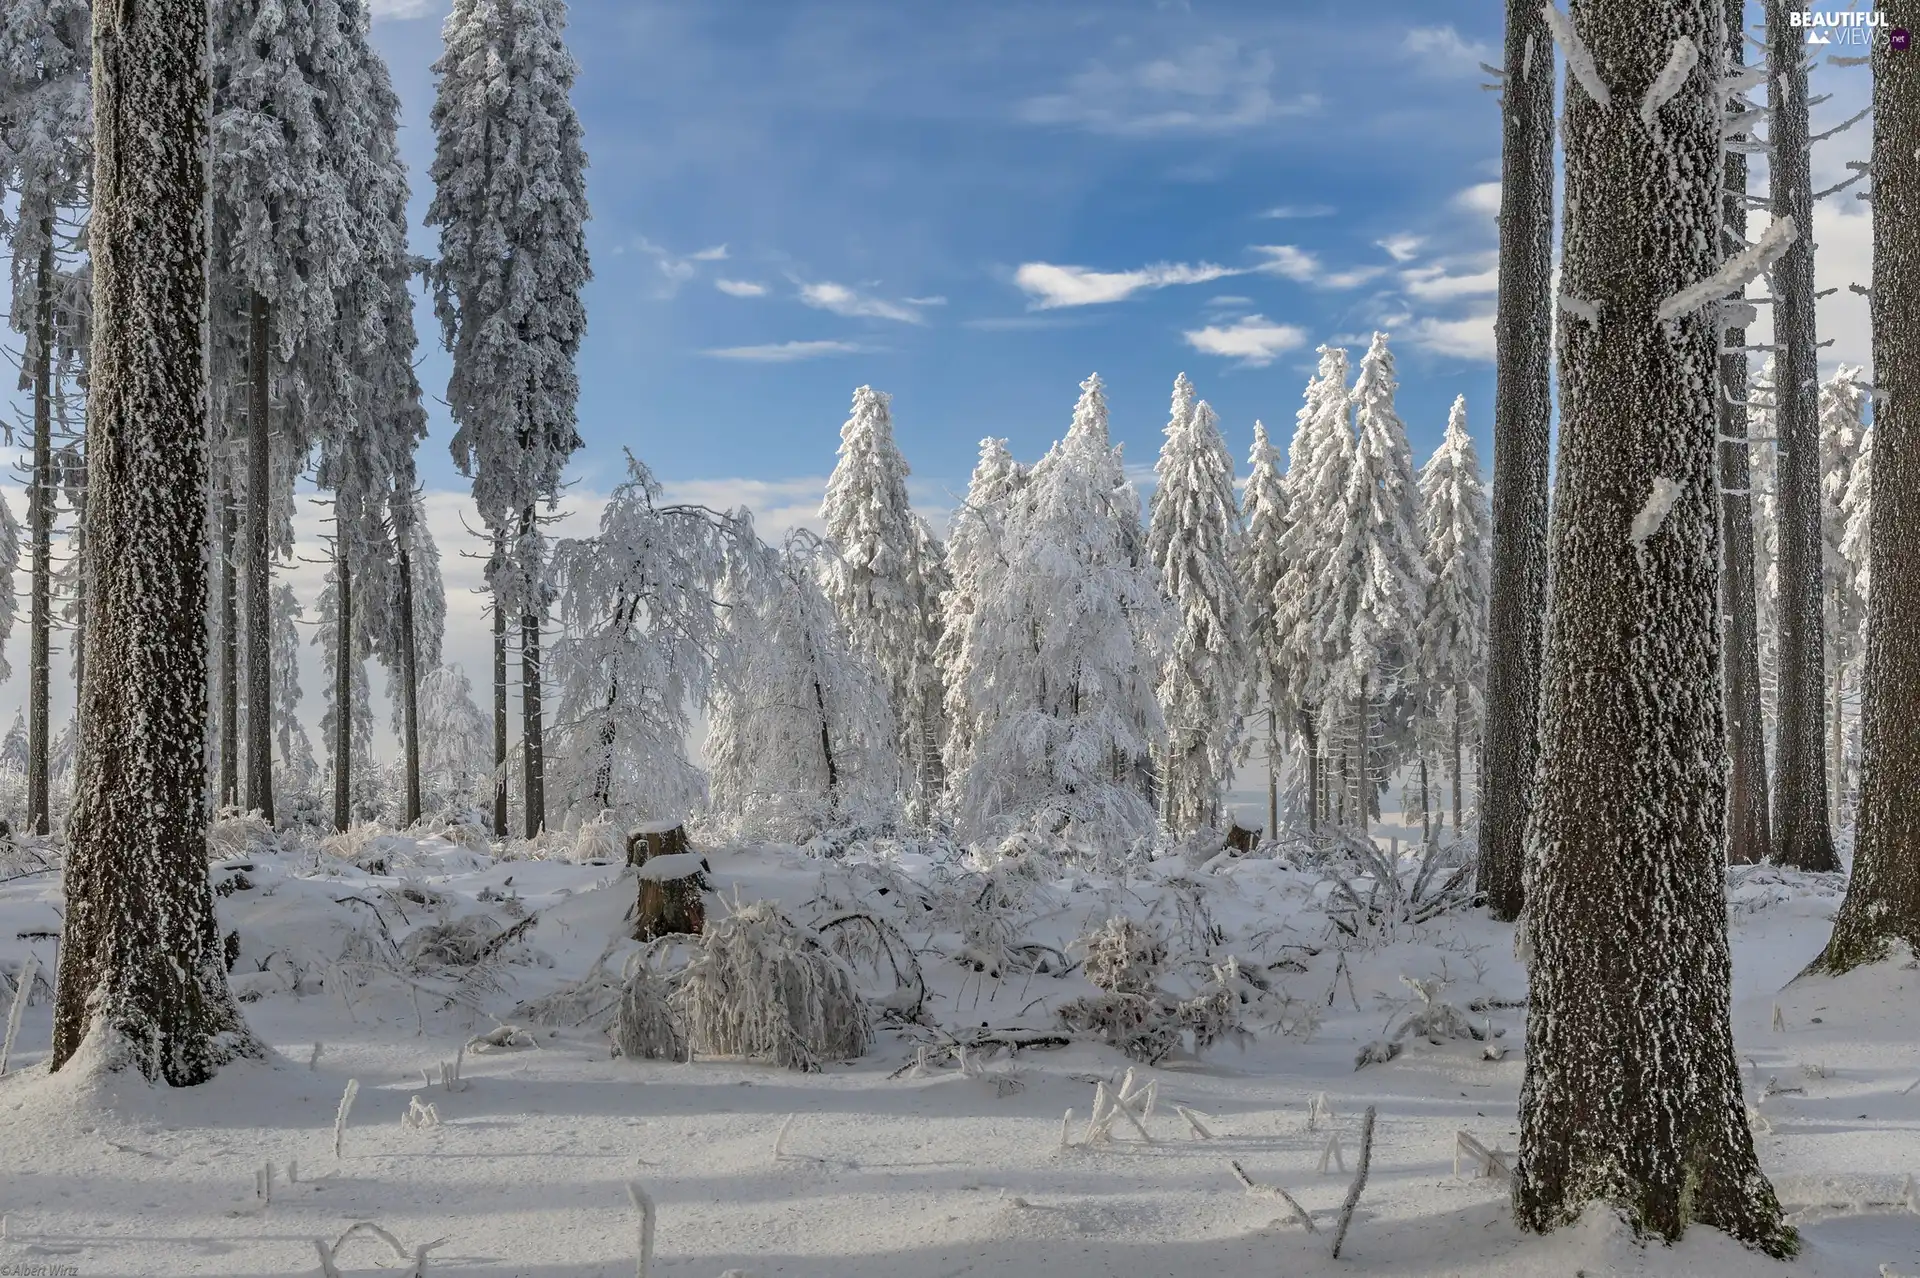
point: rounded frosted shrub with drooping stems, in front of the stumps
(763, 987)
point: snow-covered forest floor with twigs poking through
(884, 1168)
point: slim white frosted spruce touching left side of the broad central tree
(976, 557)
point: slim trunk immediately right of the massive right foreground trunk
(1746, 728)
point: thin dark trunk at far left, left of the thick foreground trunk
(41, 525)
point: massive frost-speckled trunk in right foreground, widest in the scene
(1633, 1089)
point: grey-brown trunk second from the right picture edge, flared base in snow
(1800, 830)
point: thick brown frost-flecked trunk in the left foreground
(143, 974)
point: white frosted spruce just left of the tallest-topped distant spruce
(1307, 609)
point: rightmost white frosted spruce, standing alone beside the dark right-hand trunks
(1452, 636)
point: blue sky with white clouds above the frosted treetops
(974, 206)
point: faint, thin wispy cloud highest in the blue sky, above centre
(1211, 89)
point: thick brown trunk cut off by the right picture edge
(1884, 893)
